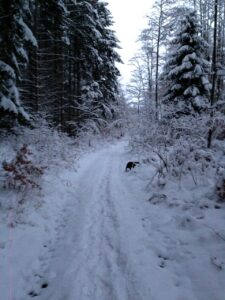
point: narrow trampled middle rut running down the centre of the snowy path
(112, 277)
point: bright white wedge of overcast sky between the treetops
(129, 18)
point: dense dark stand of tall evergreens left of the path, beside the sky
(71, 76)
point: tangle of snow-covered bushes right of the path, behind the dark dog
(190, 147)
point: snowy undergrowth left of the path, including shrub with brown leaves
(29, 159)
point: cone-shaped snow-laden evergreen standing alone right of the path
(186, 70)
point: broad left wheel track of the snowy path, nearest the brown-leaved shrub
(73, 262)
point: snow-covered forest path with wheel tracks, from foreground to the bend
(101, 251)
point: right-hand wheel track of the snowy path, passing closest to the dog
(131, 235)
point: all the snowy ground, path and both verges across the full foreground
(98, 237)
